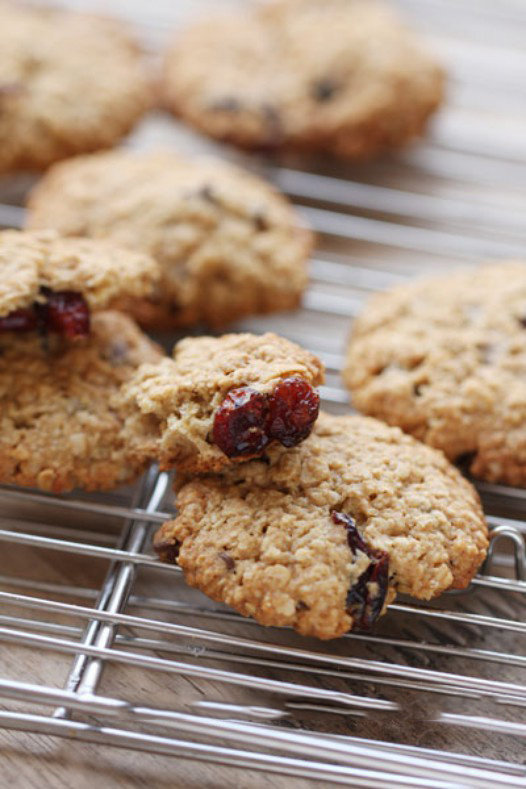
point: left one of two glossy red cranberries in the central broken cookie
(240, 422)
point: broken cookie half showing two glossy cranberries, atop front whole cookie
(222, 400)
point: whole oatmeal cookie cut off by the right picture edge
(445, 359)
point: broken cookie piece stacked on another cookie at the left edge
(63, 359)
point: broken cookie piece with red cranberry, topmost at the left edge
(53, 283)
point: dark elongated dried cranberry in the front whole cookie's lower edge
(366, 597)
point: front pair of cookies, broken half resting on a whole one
(292, 519)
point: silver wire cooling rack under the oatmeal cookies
(122, 653)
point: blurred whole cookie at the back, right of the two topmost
(338, 76)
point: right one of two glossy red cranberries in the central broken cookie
(293, 409)
